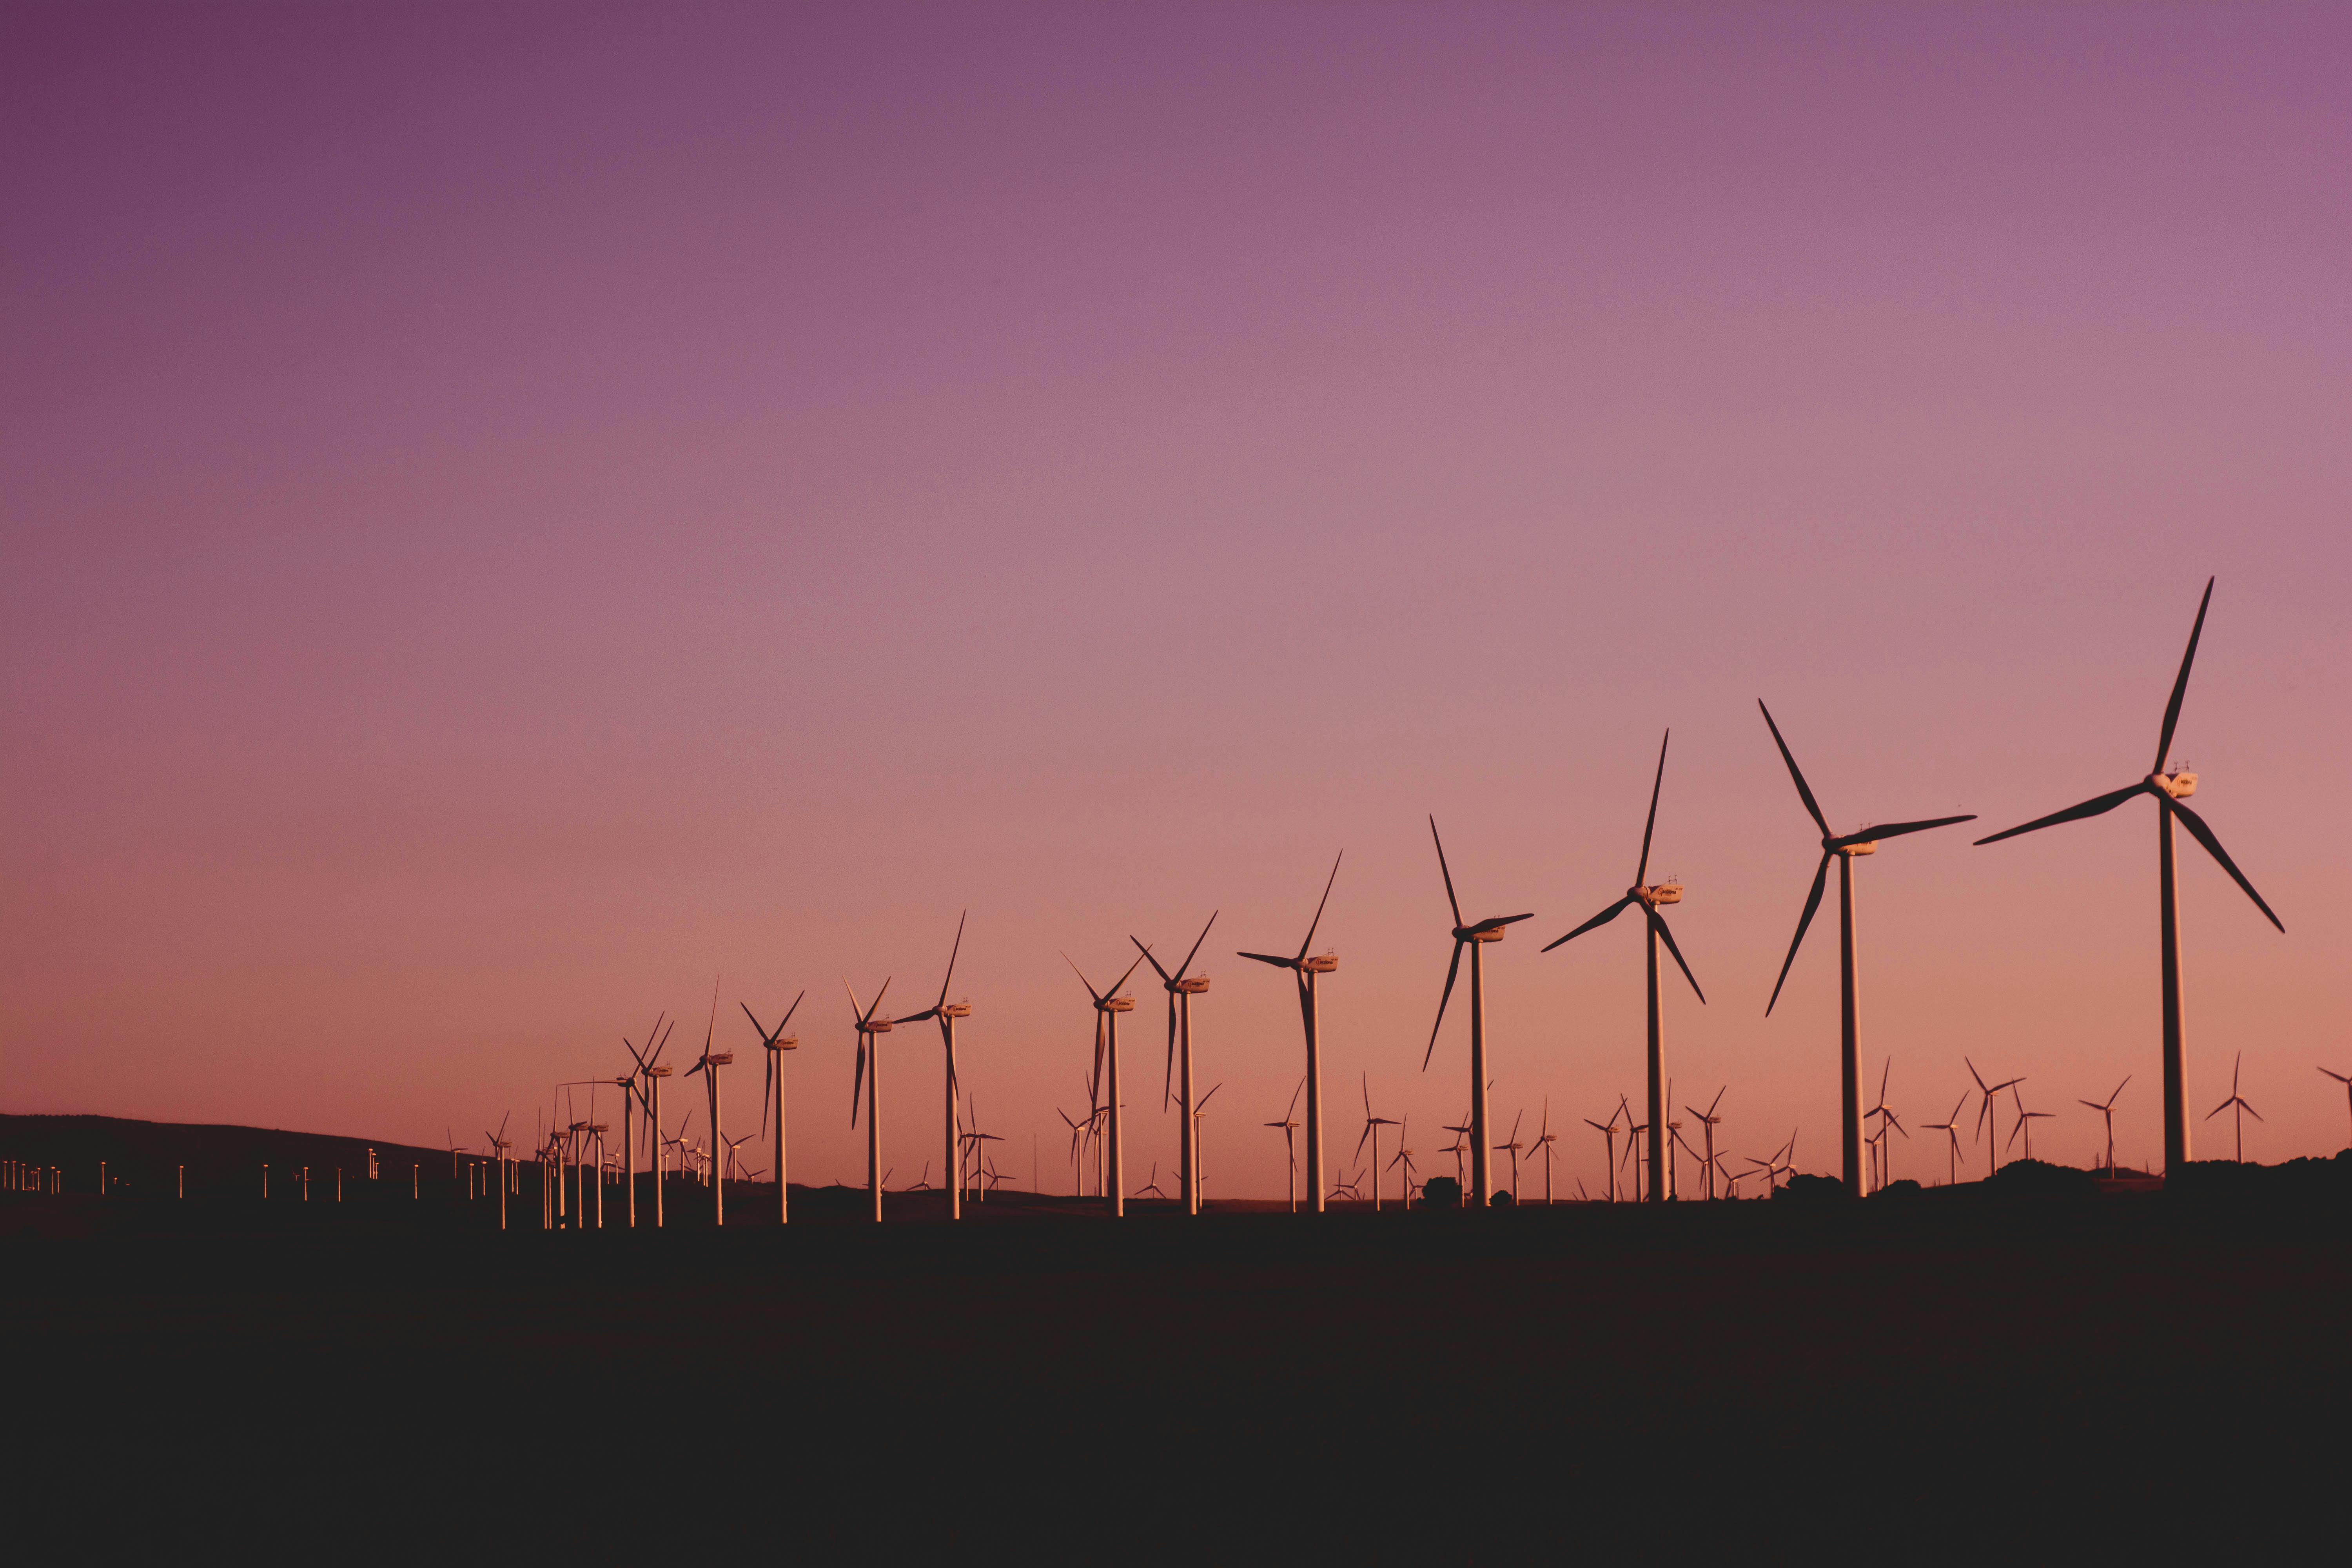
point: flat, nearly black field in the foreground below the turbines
(1890, 1379)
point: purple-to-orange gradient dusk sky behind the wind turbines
(516, 511)
